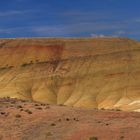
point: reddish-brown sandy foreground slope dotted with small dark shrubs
(25, 120)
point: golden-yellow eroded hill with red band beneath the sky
(86, 72)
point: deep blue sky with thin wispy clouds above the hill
(69, 18)
